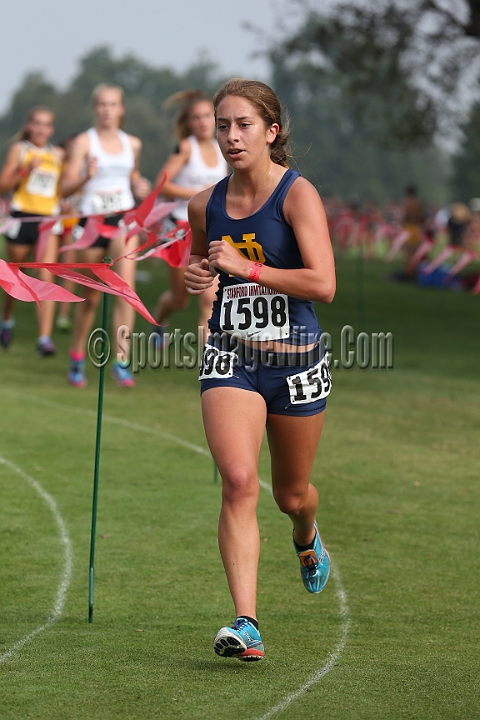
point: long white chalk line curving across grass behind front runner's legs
(334, 656)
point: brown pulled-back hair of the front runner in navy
(269, 108)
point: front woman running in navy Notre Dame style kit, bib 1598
(264, 231)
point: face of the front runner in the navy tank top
(242, 134)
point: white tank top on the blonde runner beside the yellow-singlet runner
(109, 191)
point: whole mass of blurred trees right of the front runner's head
(383, 80)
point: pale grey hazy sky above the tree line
(51, 35)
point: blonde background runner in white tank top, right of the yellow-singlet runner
(104, 165)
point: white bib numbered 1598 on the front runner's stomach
(253, 312)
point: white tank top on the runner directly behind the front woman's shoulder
(197, 174)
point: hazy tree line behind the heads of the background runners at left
(145, 87)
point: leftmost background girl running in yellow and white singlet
(32, 171)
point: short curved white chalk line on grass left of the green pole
(67, 568)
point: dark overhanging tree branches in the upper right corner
(400, 65)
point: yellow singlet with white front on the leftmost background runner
(38, 192)
